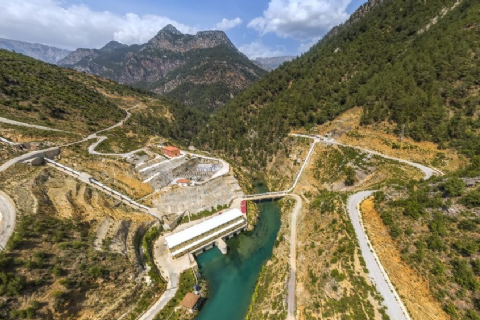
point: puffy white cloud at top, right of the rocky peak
(301, 19)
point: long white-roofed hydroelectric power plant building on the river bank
(204, 235)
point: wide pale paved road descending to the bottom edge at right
(395, 308)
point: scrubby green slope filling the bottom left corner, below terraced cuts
(51, 263)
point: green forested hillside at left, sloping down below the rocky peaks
(38, 93)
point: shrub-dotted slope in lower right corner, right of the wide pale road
(435, 224)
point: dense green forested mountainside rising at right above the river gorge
(413, 63)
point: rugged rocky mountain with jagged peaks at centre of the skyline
(203, 70)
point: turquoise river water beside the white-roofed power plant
(232, 277)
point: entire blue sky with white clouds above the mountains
(257, 28)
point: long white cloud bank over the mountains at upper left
(48, 22)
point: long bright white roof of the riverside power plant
(198, 229)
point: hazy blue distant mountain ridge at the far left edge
(35, 50)
